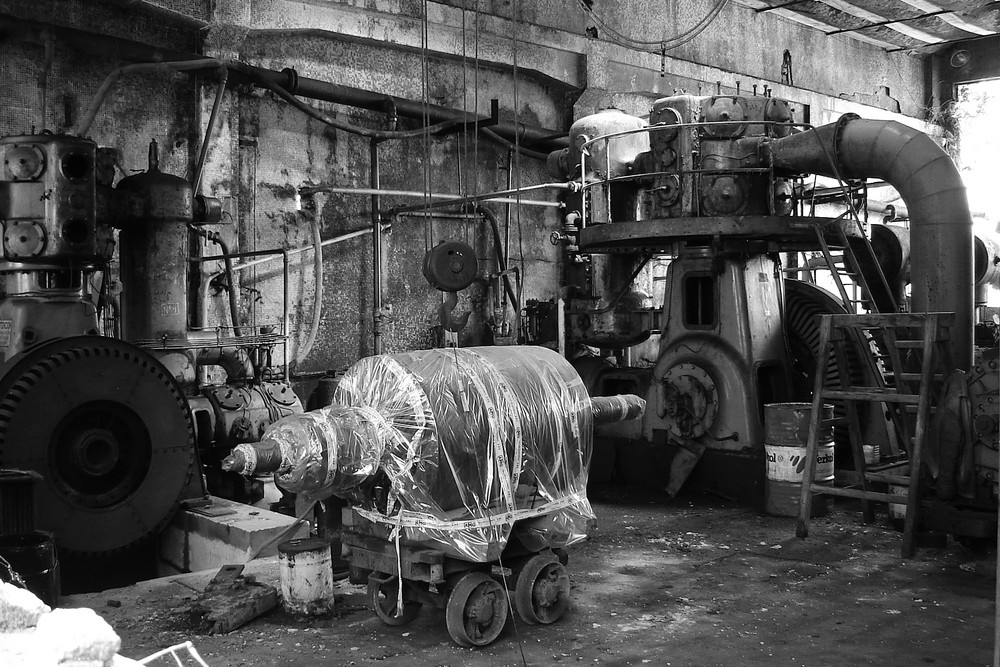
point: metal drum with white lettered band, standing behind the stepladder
(786, 434)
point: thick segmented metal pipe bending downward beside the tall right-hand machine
(931, 186)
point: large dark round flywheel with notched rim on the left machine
(109, 431)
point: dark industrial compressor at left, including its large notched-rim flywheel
(103, 398)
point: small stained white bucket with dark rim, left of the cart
(306, 573)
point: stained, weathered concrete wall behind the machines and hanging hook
(264, 150)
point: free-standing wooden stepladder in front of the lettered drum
(913, 341)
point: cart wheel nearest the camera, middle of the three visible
(477, 610)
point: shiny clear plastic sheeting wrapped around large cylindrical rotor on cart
(452, 447)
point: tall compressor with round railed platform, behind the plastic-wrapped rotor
(720, 190)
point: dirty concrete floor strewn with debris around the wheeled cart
(691, 581)
